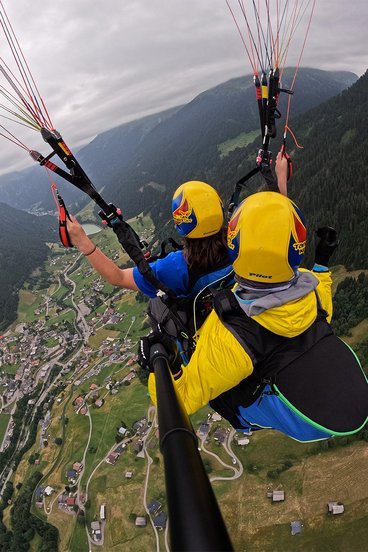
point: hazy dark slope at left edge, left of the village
(23, 248)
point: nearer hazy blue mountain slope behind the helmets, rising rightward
(185, 146)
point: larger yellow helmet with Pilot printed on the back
(266, 238)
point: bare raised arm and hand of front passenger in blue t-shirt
(109, 271)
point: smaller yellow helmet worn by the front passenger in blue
(197, 210)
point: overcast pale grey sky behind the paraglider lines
(99, 63)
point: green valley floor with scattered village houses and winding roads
(88, 432)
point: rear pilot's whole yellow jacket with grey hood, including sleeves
(220, 362)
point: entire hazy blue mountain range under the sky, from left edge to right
(133, 161)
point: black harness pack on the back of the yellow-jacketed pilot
(315, 373)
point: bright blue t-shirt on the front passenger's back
(173, 271)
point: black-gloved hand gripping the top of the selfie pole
(155, 346)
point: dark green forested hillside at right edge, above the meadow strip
(331, 176)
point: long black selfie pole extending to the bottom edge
(195, 520)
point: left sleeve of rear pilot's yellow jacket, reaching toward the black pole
(218, 364)
